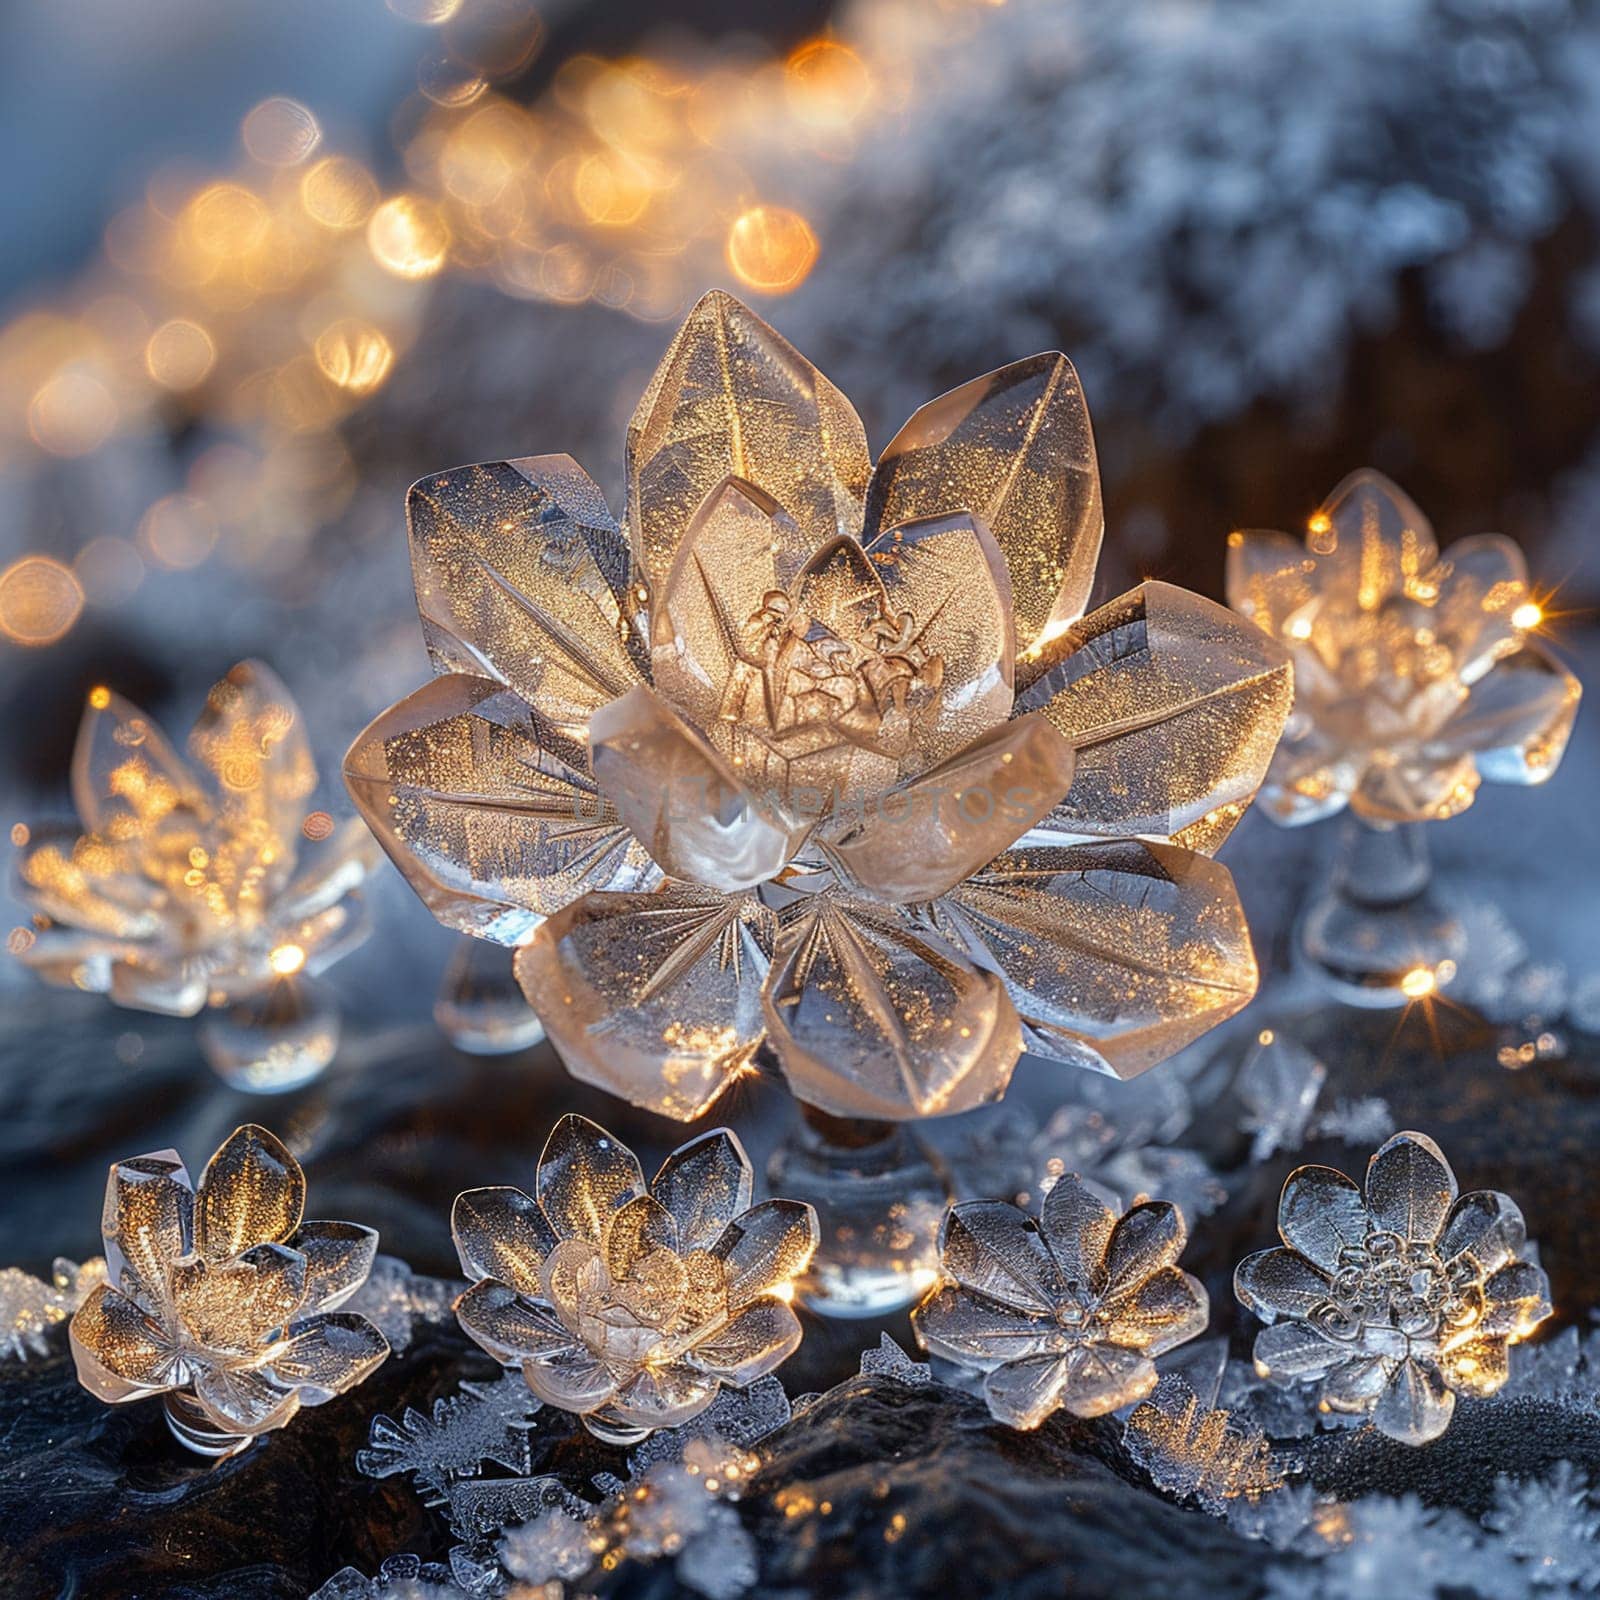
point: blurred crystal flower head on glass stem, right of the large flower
(1415, 673)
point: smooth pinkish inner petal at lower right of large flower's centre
(921, 839)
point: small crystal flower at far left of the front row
(222, 1298)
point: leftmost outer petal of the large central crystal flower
(490, 826)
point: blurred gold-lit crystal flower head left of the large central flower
(186, 882)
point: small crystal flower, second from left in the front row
(631, 1305)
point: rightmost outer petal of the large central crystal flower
(1174, 706)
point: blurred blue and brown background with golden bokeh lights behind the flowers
(270, 265)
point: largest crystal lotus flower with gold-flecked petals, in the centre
(820, 758)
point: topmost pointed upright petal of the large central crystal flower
(732, 398)
